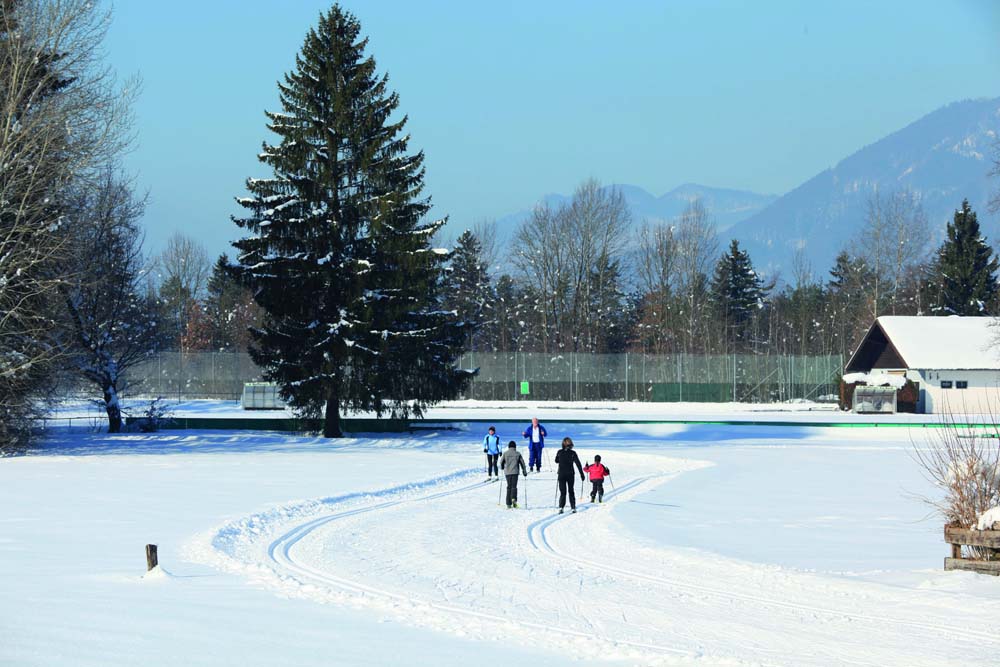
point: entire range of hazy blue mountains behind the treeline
(941, 159)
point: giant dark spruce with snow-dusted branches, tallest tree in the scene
(337, 253)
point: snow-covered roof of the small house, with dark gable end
(949, 343)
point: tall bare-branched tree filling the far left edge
(62, 115)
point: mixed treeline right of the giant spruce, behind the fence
(584, 281)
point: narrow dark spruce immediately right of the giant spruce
(469, 286)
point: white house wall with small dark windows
(981, 396)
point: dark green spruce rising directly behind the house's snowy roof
(966, 269)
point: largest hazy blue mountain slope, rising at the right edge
(943, 157)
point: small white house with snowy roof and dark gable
(954, 362)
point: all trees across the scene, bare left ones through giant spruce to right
(336, 290)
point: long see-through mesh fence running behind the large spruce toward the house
(549, 377)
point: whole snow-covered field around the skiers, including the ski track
(720, 545)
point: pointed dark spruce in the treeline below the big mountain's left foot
(737, 292)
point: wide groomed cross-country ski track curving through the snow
(441, 554)
